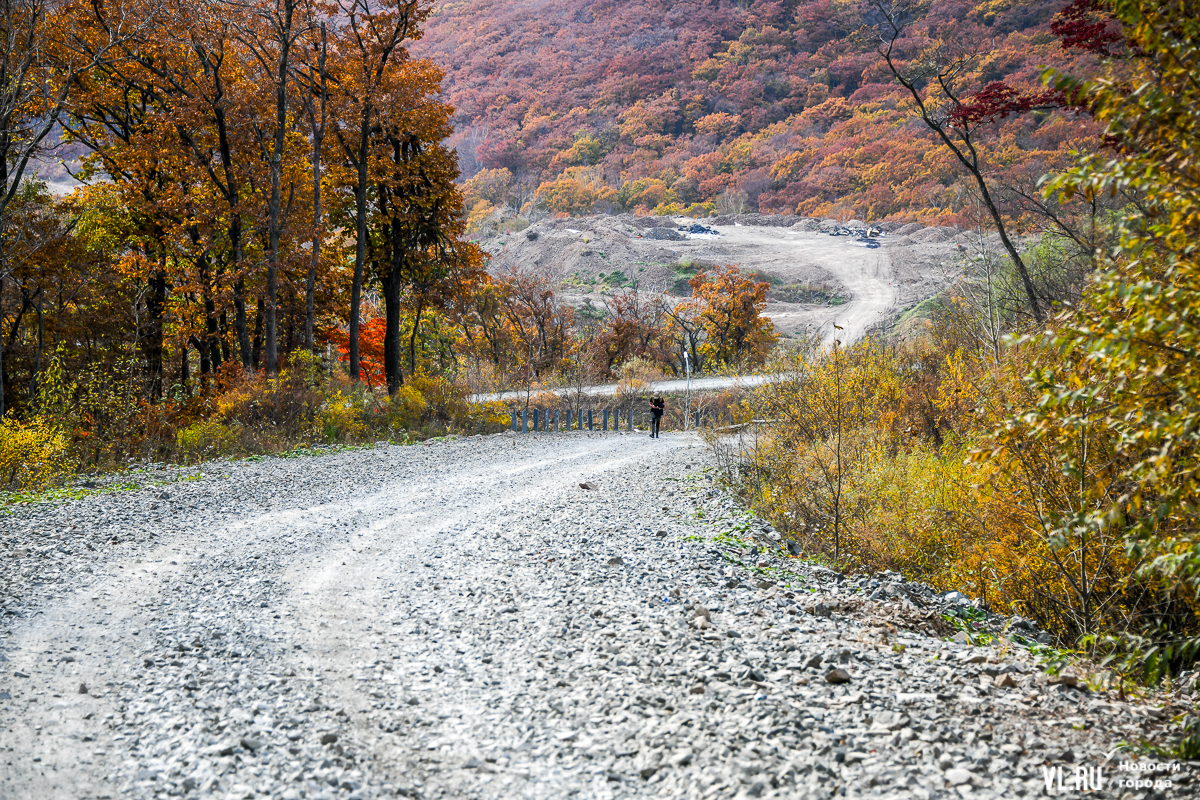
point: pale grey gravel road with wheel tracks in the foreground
(464, 621)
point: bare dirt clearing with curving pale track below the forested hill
(580, 255)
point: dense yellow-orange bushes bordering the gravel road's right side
(1009, 510)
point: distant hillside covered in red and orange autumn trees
(760, 106)
